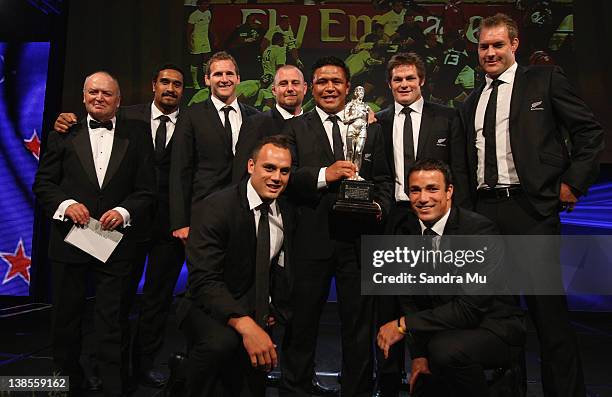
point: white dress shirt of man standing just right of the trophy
(398, 142)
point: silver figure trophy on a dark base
(356, 194)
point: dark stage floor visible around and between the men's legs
(24, 348)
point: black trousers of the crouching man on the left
(217, 363)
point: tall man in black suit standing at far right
(512, 165)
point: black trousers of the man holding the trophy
(310, 292)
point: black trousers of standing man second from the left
(165, 261)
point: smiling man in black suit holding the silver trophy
(334, 210)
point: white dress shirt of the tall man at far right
(506, 170)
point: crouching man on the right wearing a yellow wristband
(452, 339)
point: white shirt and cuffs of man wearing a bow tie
(101, 141)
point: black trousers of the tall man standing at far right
(560, 355)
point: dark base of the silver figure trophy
(356, 196)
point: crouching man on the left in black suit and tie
(239, 283)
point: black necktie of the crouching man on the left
(262, 266)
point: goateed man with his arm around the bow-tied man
(166, 253)
